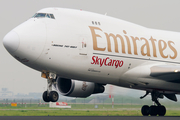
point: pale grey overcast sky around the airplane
(159, 14)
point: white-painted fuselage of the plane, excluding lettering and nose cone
(36, 50)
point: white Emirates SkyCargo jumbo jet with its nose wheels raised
(80, 52)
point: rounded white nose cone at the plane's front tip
(11, 41)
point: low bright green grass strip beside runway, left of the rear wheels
(68, 113)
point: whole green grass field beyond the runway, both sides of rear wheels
(77, 110)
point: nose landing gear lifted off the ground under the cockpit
(49, 95)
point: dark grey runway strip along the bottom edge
(85, 118)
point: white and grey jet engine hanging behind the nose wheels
(74, 88)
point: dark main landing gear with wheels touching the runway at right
(153, 110)
